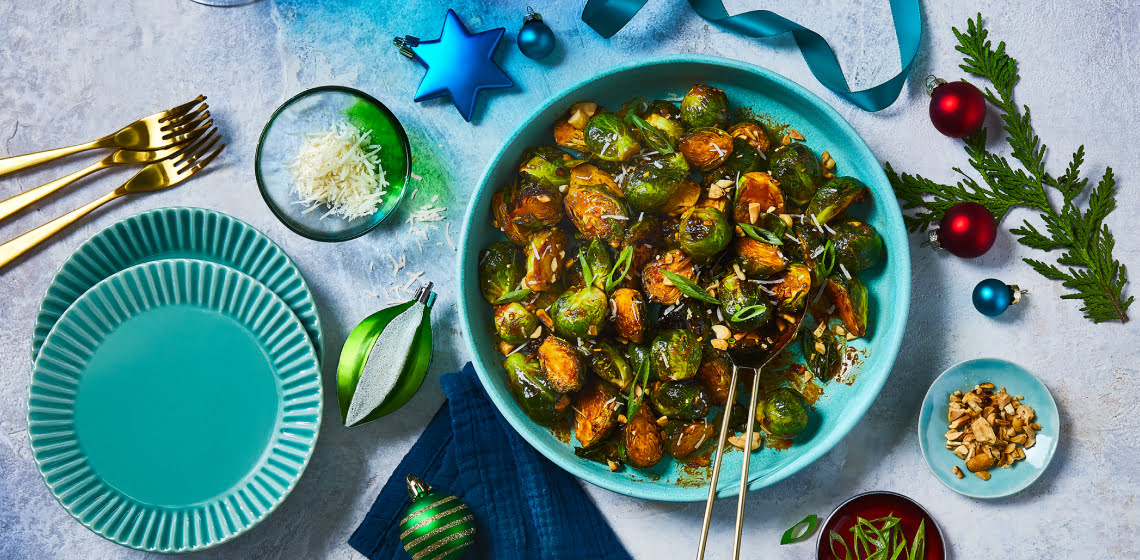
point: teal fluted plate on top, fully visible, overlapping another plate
(175, 405)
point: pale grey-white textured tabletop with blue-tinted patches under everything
(72, 70)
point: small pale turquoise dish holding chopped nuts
(933, 427)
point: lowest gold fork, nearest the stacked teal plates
(158, 176)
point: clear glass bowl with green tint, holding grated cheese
(317, 110)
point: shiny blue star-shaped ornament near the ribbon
(460, 64)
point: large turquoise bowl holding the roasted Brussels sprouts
(785, 102)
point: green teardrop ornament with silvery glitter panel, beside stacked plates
(372, 386)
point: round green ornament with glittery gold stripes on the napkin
(437, 526)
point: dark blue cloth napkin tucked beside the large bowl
(526, 508)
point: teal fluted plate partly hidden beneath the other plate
(178, 233)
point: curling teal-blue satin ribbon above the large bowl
(607, 18)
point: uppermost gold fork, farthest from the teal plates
(160, 131)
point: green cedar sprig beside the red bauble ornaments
(1086, 265)
